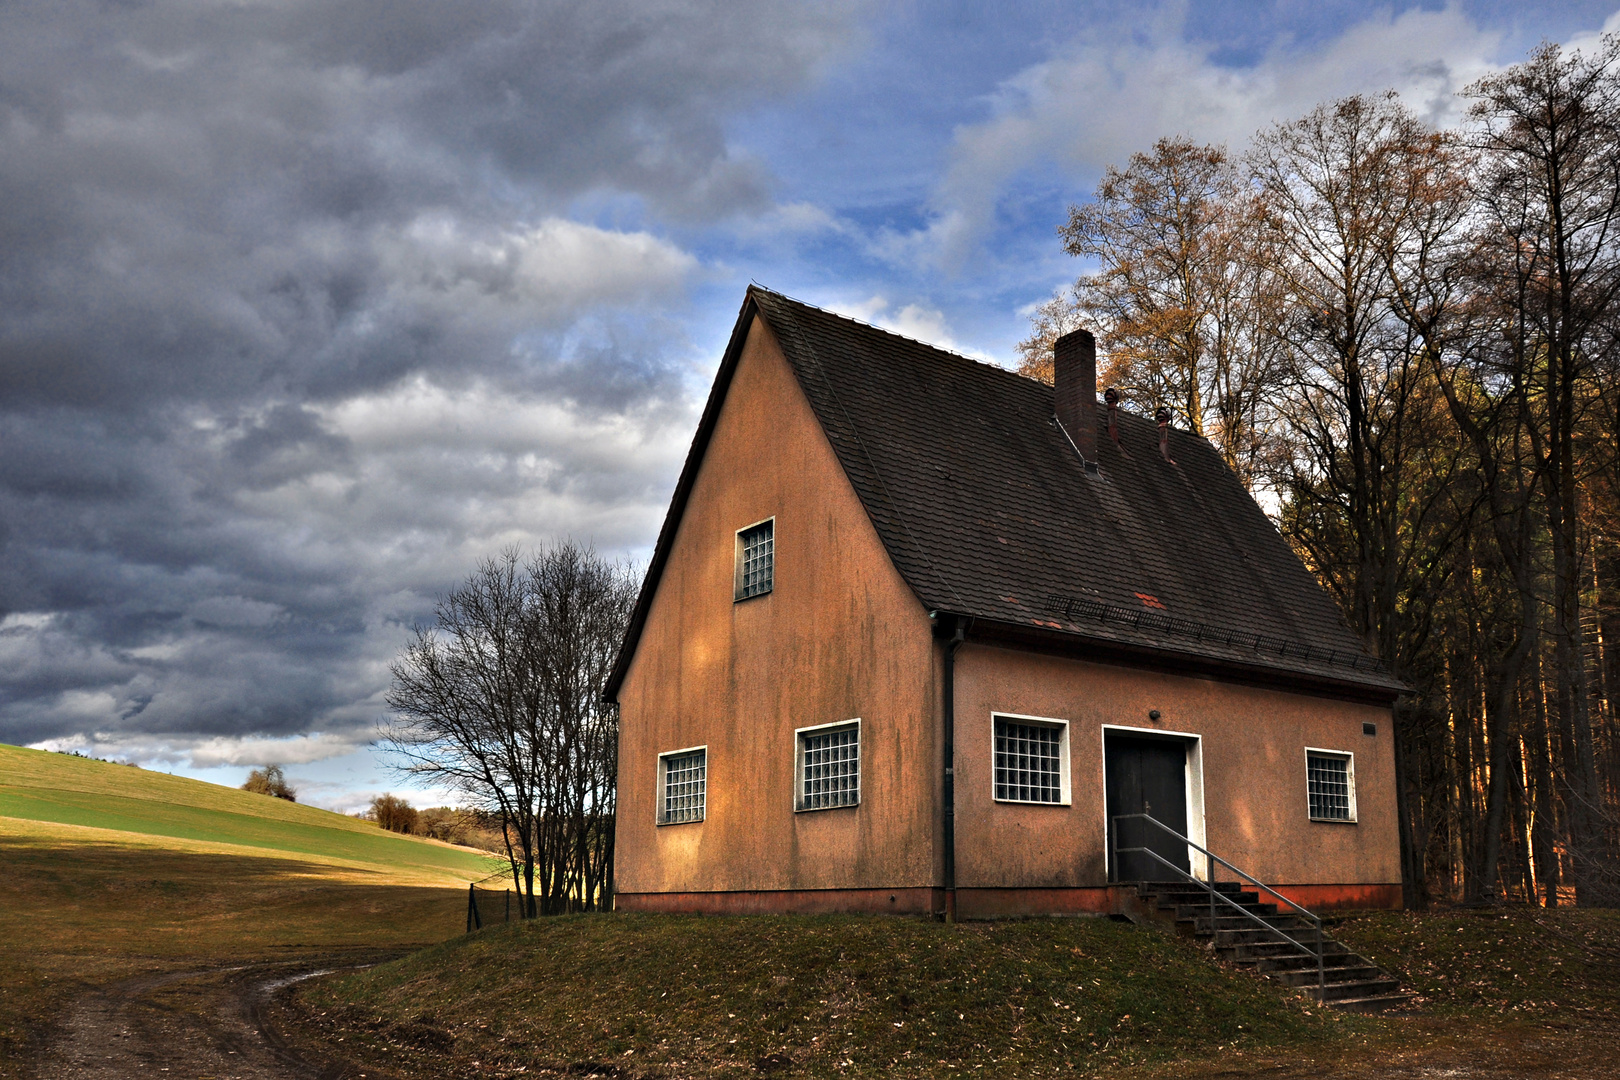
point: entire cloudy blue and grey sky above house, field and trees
(309, 307)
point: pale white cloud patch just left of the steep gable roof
(451, 474)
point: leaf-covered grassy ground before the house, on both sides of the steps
(1506, 993)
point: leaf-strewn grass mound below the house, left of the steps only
(819, 997)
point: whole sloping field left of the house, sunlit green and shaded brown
(109, 872)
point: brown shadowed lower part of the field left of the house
(75, 916)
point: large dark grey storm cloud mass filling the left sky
(296, 325)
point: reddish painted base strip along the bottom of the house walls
(970, 903)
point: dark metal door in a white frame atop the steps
(1148, 776)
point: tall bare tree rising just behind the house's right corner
(1345, 195)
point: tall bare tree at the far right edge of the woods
(1550, 137)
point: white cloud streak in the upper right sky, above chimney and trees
(1122, 88)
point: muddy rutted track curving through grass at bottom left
(211, 1023)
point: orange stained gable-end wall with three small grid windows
(838, 637)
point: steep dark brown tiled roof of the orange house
(989, 512)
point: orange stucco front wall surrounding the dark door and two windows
(1255, 773)
